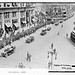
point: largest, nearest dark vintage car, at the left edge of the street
(8, 51)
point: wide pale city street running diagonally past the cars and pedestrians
(39, 47)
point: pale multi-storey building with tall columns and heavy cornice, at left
(15, 13)
